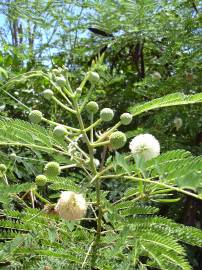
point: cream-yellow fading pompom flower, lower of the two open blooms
(71, 205)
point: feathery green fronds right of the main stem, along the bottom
(139, 235)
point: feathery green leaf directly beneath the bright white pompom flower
(173, 168)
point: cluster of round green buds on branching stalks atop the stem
(74, 103)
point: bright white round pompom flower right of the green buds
(145, 145)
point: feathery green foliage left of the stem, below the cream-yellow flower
(40, 235)
